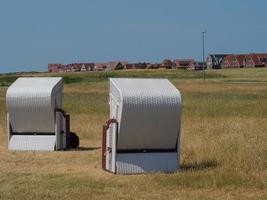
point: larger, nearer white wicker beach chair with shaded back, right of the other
(143, 132)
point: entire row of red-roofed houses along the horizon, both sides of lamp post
(214, 61)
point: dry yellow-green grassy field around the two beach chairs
(223, 142)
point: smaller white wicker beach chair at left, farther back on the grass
(35, 120)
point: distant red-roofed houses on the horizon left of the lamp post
(189, 64)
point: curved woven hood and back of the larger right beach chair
(148, 112)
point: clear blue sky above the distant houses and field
(34, 33)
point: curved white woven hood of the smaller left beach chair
(31, 103)
